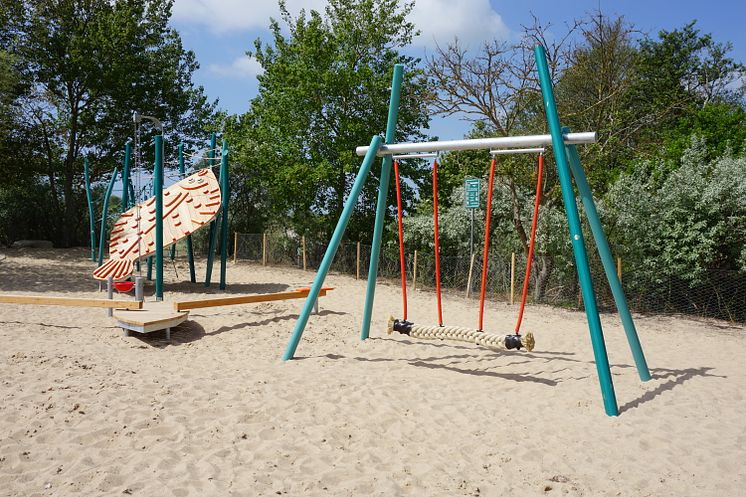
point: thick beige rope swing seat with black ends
(458, 334)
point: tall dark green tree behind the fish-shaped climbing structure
(90, 64)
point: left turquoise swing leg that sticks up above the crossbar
(383, 195)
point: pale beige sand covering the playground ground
(87, 411)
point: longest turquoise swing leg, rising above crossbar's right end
(576, 236)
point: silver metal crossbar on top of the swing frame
(479, 143)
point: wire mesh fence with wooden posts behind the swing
(720, 294)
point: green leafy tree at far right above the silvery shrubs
(684, 82)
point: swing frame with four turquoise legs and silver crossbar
(568, 167)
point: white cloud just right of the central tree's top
(472, 21)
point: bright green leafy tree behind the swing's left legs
(325, 90)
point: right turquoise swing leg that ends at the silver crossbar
(607, 260)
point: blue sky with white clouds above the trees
(221, 31)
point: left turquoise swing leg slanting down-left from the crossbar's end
(331, 249)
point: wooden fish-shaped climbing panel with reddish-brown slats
(190, 204)
